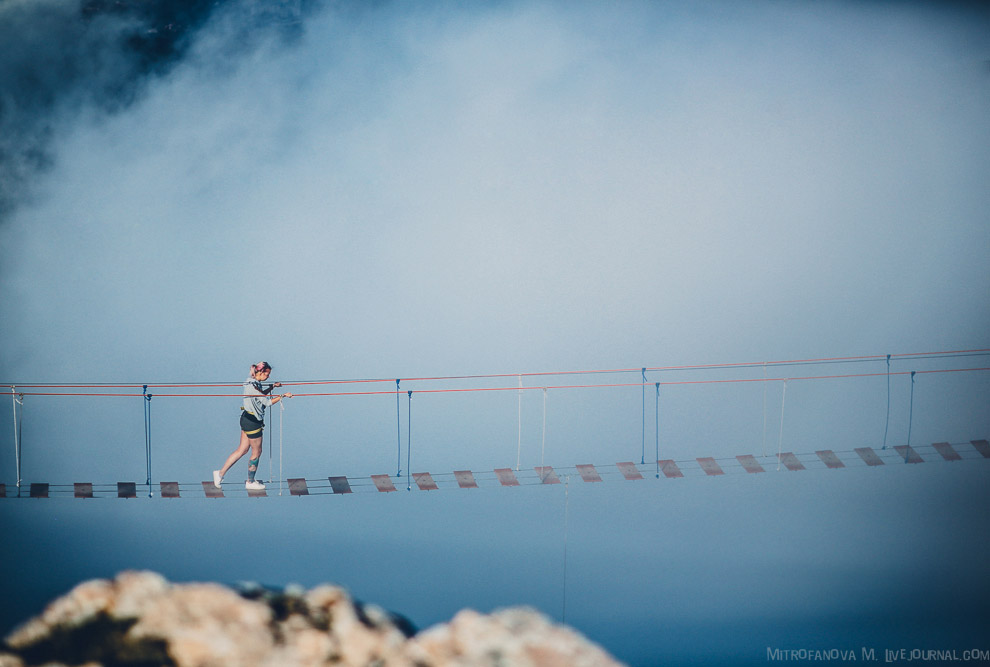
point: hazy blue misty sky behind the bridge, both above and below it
(423, 190)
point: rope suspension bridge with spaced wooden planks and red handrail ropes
(655, 467)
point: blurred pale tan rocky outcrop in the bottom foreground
(140, 619)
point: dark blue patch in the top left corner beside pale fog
(64, 58)
